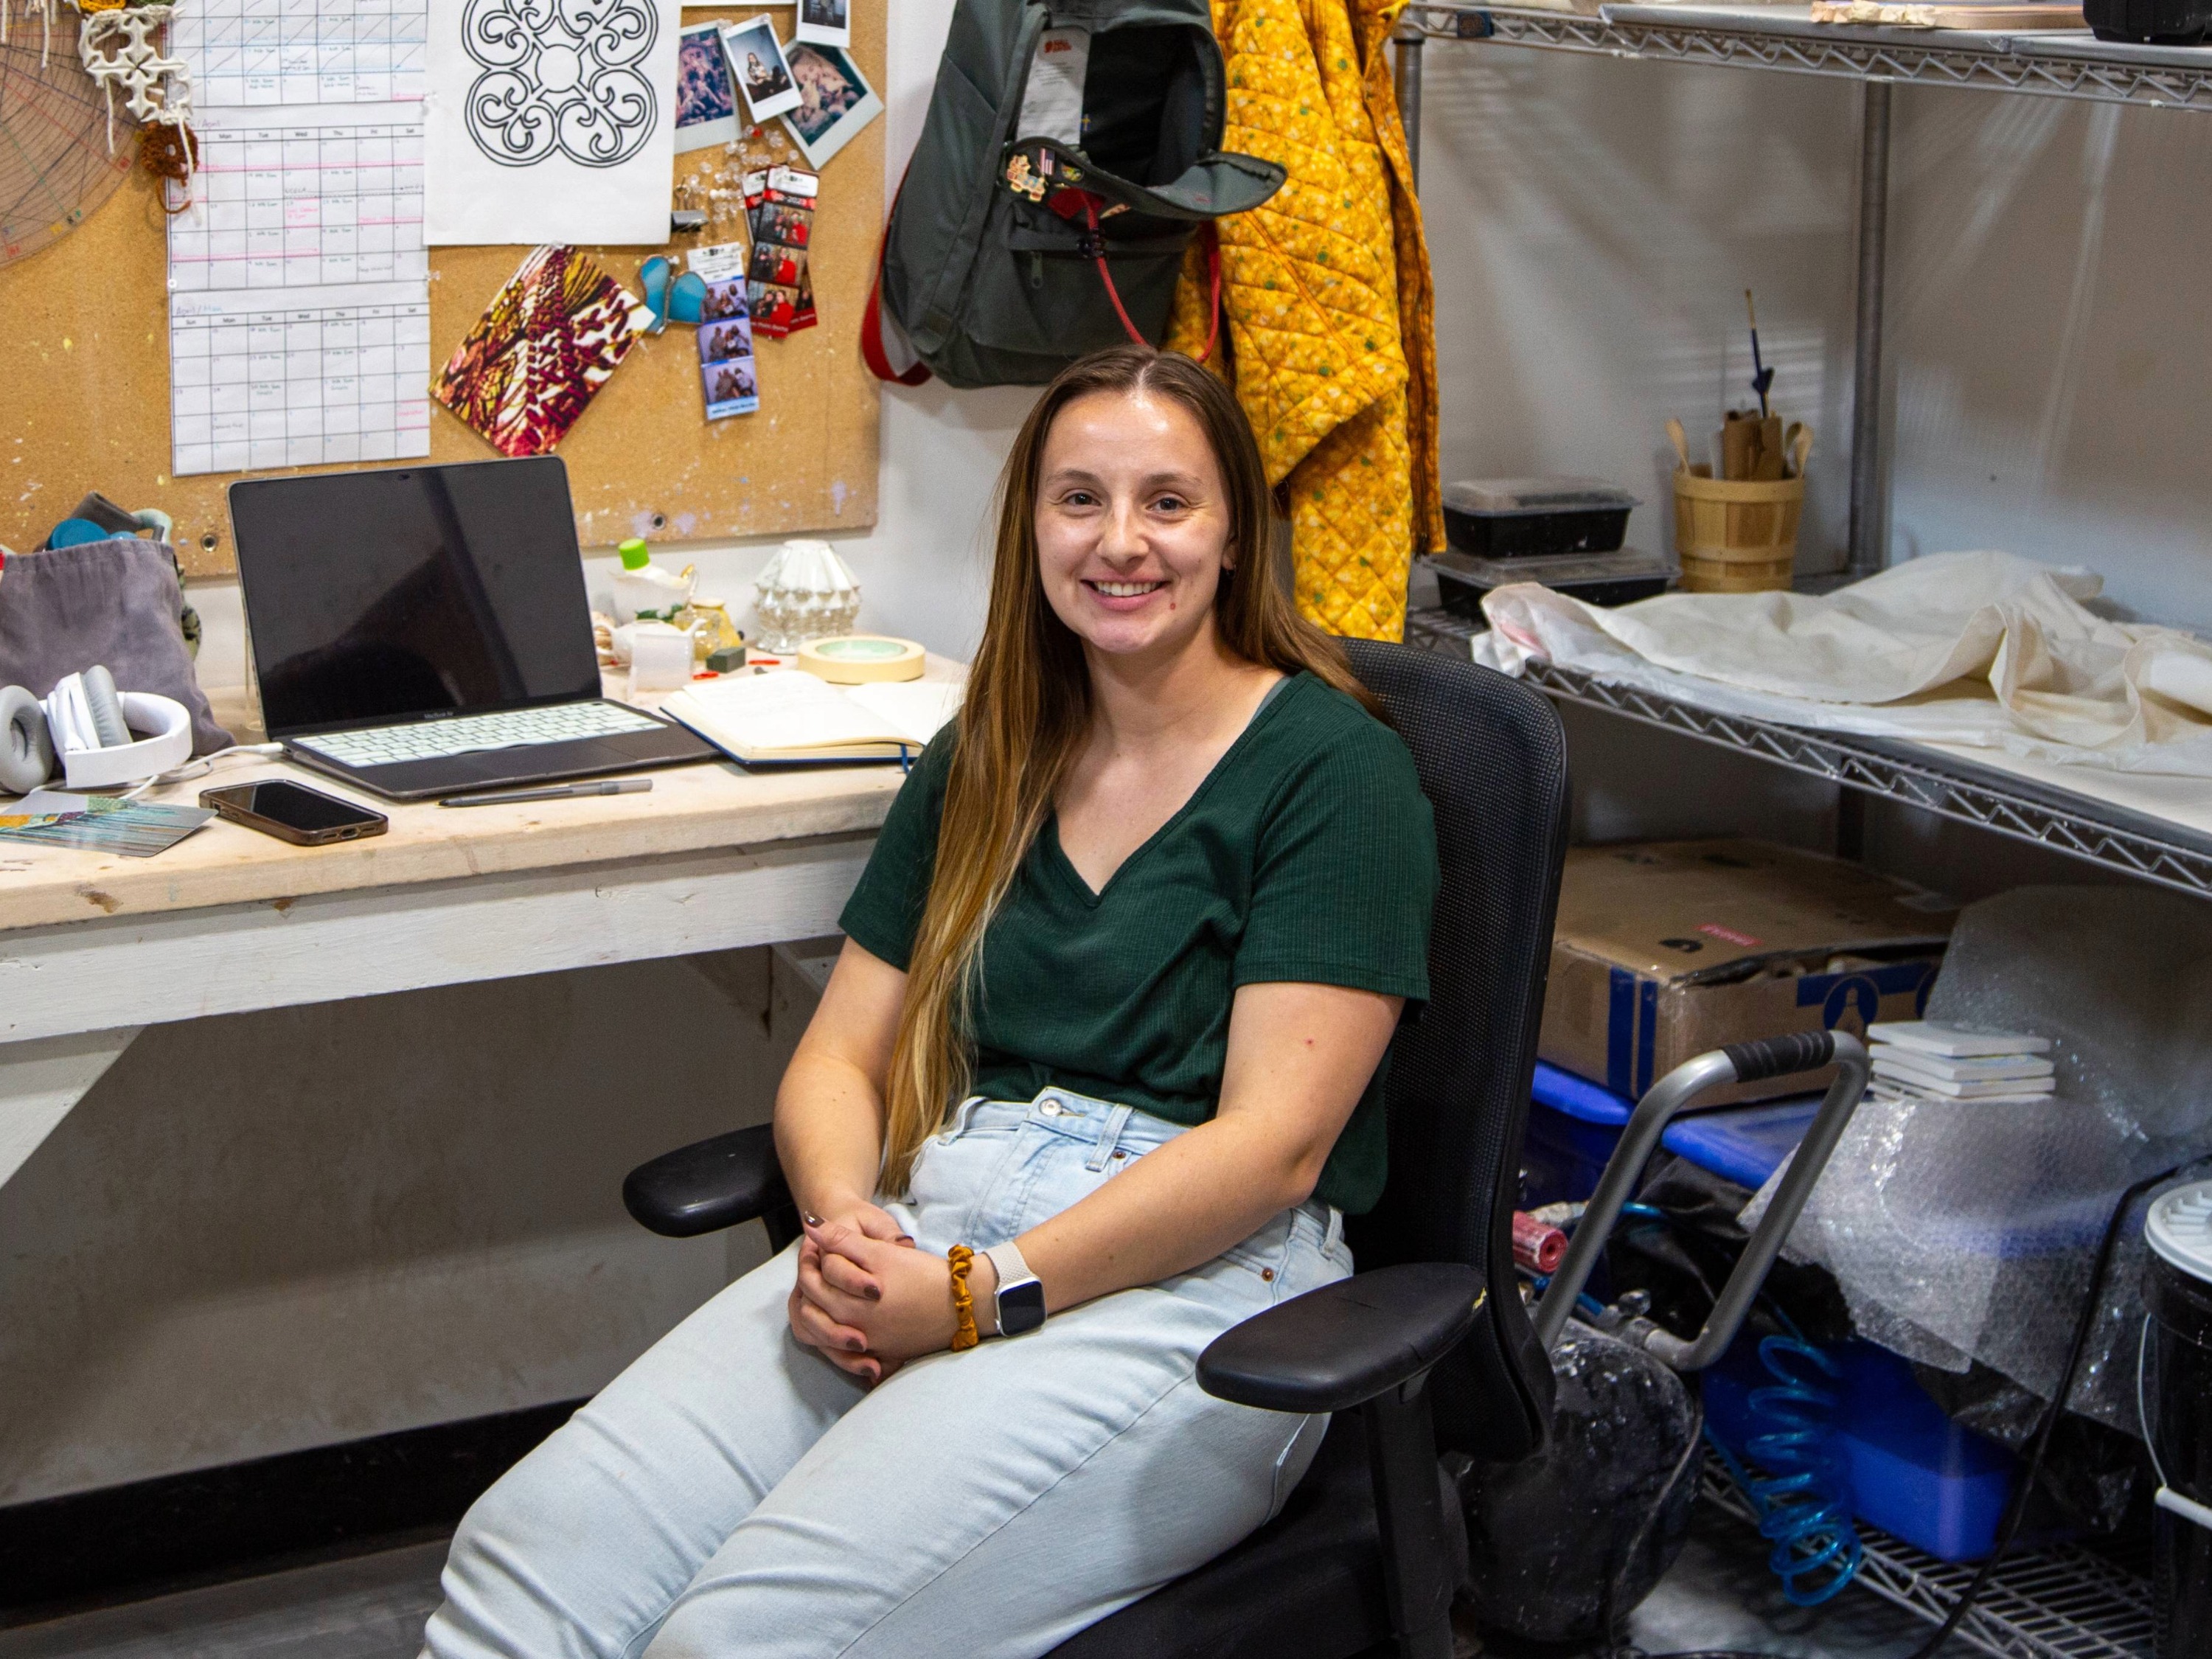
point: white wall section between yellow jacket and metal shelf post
(1594, 229)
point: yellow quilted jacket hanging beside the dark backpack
(1328, 300)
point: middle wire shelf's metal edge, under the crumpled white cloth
(1919, 778)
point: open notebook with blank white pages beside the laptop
(791, 718)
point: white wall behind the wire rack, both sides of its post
(1594, 227)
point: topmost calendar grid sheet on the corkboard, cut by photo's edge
(304, 52)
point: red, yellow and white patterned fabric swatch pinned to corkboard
(541, 351)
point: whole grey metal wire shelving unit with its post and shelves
(2060, 1603)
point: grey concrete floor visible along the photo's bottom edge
(373, 1607)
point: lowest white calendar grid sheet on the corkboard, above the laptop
(298, 386)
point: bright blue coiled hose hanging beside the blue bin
(1799, 1492)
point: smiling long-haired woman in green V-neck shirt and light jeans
(1098, 1076)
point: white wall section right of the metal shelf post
(2054, 373)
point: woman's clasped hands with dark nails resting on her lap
(870, 1300)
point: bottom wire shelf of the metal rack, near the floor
(2060, 1603)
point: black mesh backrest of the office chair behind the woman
(1492, 760)
